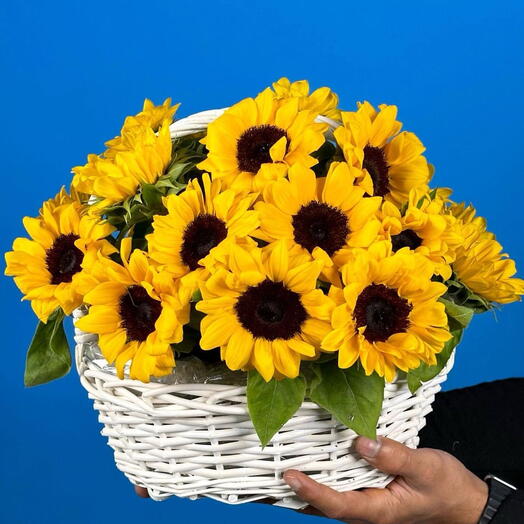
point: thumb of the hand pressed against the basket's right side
(389, 456)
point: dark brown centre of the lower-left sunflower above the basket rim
(138, 312)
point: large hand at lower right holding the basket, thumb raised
(431, 487)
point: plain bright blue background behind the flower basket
(70, 73)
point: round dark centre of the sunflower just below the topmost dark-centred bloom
(320, 225)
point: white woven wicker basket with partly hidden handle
(197, 440)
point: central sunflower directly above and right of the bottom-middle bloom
(319, 215)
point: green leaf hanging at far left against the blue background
(48, 356)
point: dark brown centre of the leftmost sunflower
(64, 259)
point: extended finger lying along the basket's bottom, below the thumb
(335, 505)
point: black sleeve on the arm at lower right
(483, 427)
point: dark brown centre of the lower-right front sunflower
(382, 311)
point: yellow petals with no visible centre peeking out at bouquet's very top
(322, 101)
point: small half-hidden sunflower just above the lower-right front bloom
(423, 226)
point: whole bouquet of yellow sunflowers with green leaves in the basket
(300, 244)
